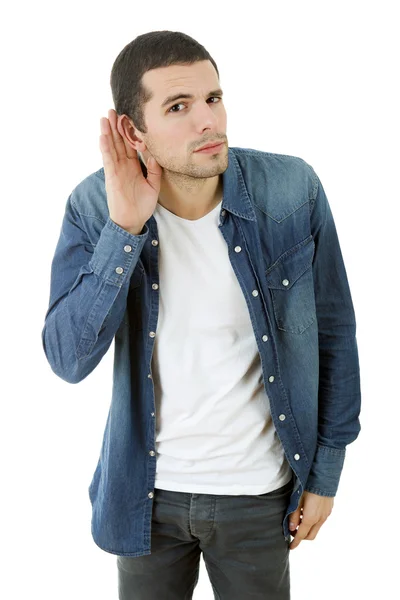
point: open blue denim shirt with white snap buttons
(103, 288)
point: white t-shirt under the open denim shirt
(214, 430)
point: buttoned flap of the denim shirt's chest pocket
(290, 266)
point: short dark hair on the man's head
(149, 51)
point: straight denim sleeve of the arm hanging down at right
(339, 394)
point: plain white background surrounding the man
(312, 79)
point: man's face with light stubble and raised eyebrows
(178, 128)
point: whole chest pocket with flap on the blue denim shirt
(290, 281)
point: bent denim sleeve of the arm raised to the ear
(88, 293)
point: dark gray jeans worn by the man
(241, 537)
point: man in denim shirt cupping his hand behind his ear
(219, 275)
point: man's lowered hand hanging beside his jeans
(316, 509)
